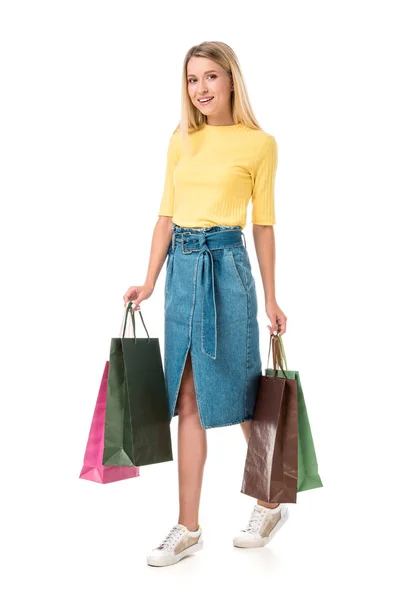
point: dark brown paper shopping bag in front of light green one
(271, 466)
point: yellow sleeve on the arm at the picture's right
(263, 194)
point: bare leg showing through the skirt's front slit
(192, 451)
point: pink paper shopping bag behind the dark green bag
(93, 469)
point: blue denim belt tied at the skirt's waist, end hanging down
(203, 243)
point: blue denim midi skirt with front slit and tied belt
(210, 308)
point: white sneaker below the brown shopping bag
(263, 525)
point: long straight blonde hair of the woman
(224, 56)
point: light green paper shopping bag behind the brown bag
(308, 477)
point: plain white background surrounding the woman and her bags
(90, 95)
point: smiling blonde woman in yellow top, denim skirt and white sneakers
(218, 157)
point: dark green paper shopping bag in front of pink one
(137, 424)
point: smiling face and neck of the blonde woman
(207, 81)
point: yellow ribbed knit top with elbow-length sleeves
(213, 182)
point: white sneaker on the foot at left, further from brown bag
(178, 543)
